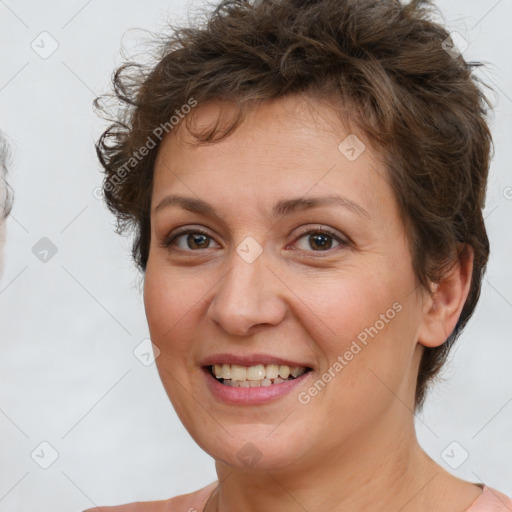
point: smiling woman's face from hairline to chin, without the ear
(251, 286)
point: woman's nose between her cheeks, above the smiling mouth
(248, 297)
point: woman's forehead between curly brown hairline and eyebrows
(289, 146)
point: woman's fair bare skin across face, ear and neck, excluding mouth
(353, 446)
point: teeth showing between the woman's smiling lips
(255, 376)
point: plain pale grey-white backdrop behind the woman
(68, 327)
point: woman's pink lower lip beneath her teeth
(251, 396)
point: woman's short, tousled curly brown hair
(406, 86)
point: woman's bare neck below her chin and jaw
(384, 470)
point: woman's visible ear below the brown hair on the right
(443, 310)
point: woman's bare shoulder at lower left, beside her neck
(191, 502)
